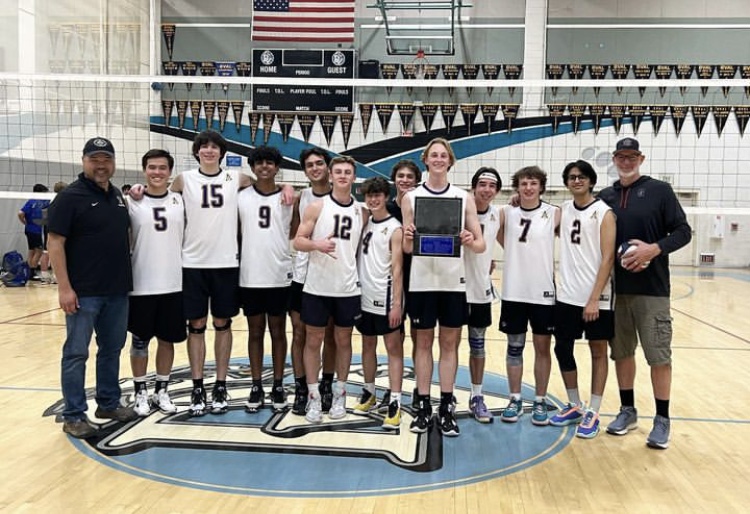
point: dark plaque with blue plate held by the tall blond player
(438, 222)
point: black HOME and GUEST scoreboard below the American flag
(303, 64)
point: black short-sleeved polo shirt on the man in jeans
(95, 224)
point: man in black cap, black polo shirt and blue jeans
(90, 253)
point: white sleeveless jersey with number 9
(265, 259)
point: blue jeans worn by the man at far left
(108, 316)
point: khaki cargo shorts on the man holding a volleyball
(647, 318)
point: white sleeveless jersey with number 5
(157, 224)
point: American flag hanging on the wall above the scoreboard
(303, 21)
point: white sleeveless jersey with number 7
(529, 268)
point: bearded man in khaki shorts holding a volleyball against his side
(650, 217)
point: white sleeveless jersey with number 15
(211, 219)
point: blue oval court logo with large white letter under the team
(281, 454)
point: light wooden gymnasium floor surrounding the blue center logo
(277, 463)
